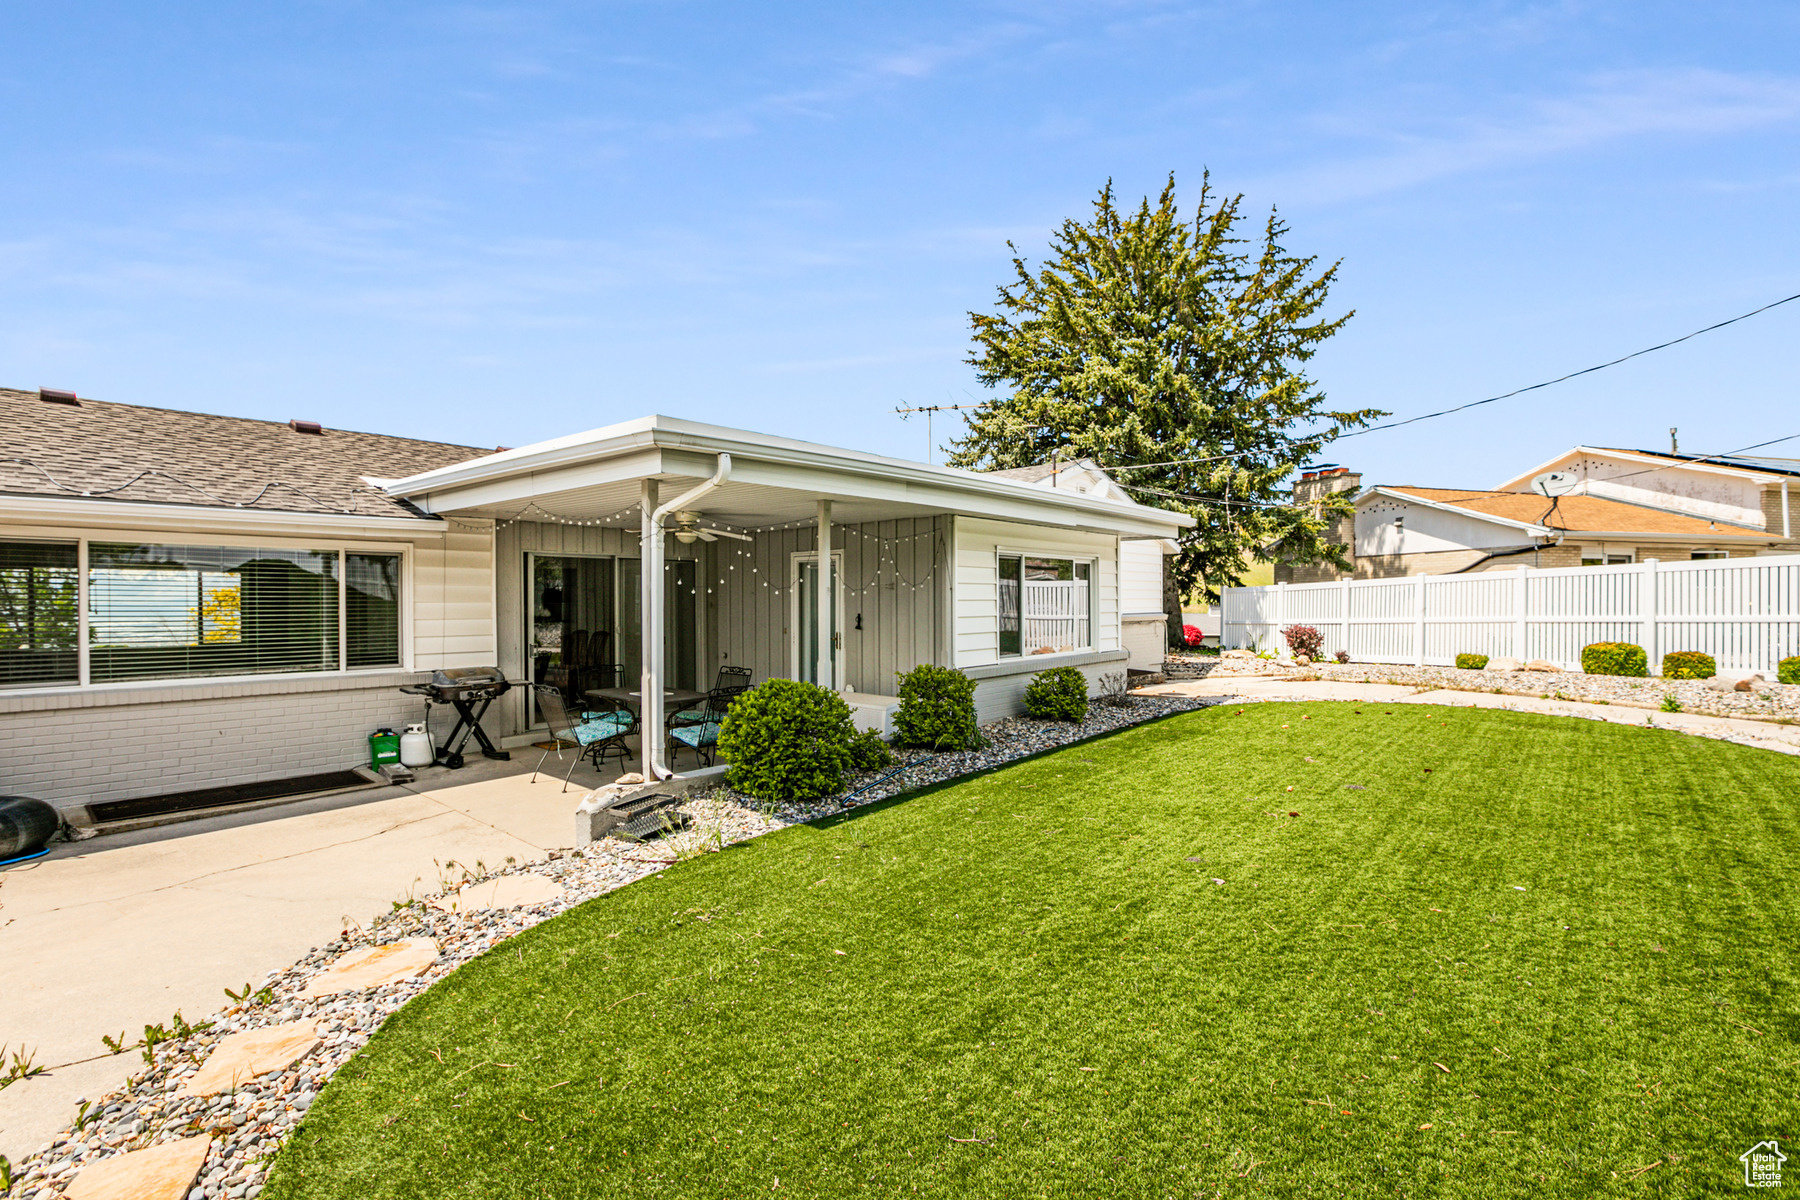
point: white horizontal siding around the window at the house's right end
(980, 542)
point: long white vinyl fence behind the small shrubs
(1745, 613)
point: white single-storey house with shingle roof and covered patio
(193, 602)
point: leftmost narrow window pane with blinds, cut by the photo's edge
(40, 613)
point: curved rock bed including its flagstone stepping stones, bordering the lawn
(170, 1131)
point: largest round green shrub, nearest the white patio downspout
(787, 742)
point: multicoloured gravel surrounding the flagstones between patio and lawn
(251, 1124)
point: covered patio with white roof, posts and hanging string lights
(654, 553)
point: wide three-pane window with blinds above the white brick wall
(159, 613)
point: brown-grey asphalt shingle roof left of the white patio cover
(204, 460)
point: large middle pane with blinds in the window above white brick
(184, 611)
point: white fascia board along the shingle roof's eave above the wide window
(201, 519)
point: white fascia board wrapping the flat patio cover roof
(584, 460)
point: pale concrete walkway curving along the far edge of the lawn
(1743, 731)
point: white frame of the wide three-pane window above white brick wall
(170, 537)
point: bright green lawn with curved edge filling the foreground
(1034, 962)
